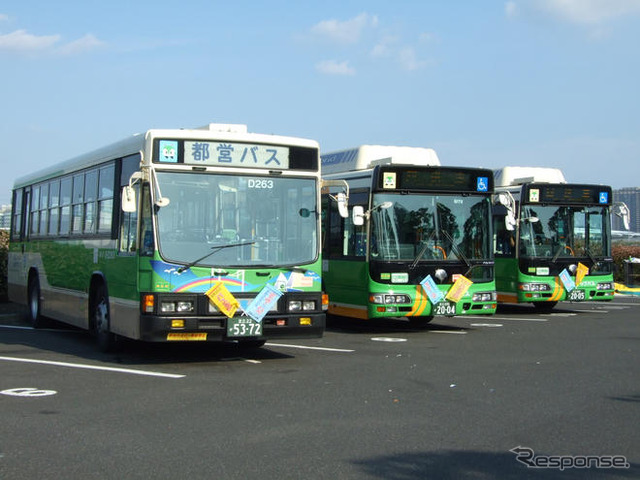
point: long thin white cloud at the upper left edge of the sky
(20, 41)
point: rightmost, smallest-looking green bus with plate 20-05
(552, 238)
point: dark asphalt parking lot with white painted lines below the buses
(516, 395)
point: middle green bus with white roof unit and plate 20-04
(418, 241)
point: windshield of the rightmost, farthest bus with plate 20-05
(562, 231)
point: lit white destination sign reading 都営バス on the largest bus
(224, 154)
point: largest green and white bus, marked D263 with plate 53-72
(207, 234)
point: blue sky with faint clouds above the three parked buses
(484, 83)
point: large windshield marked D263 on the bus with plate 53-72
(237, 220)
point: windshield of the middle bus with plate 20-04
(430, 227)
